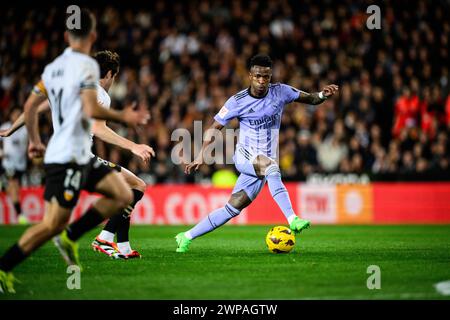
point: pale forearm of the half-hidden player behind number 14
(105, 133)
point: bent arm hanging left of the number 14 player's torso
(36, 148)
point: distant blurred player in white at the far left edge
(14, 162)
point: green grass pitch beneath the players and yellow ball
(328, 262)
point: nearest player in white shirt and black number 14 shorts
(70, 83)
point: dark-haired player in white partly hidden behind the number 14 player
(120, 224)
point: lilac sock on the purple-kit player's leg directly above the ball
(278, 191)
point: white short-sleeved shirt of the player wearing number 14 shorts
(64, 79)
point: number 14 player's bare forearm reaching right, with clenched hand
(128, 116)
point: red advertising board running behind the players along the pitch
(327, 204)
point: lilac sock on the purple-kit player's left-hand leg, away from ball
(214, 220)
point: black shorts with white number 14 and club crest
(65, 181)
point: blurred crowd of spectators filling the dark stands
(183, 59)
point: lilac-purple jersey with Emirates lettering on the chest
(259, 117)
